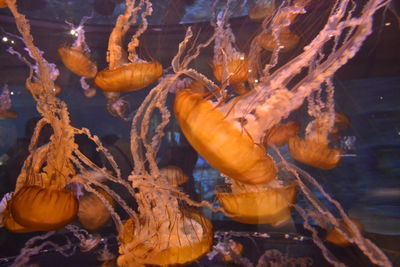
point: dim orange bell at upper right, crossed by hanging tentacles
(287, 40)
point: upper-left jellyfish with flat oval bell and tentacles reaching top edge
(125, 74)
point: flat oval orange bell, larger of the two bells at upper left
(129, 77)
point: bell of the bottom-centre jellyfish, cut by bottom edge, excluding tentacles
(172, 249)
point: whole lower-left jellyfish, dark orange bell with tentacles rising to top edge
(41, 200)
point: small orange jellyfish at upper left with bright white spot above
(76, 57)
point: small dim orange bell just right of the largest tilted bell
(280, 133)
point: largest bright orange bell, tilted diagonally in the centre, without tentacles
(224, 146)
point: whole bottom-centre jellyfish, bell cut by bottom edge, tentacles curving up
(163, 233)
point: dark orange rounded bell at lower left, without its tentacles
(42, 208)
